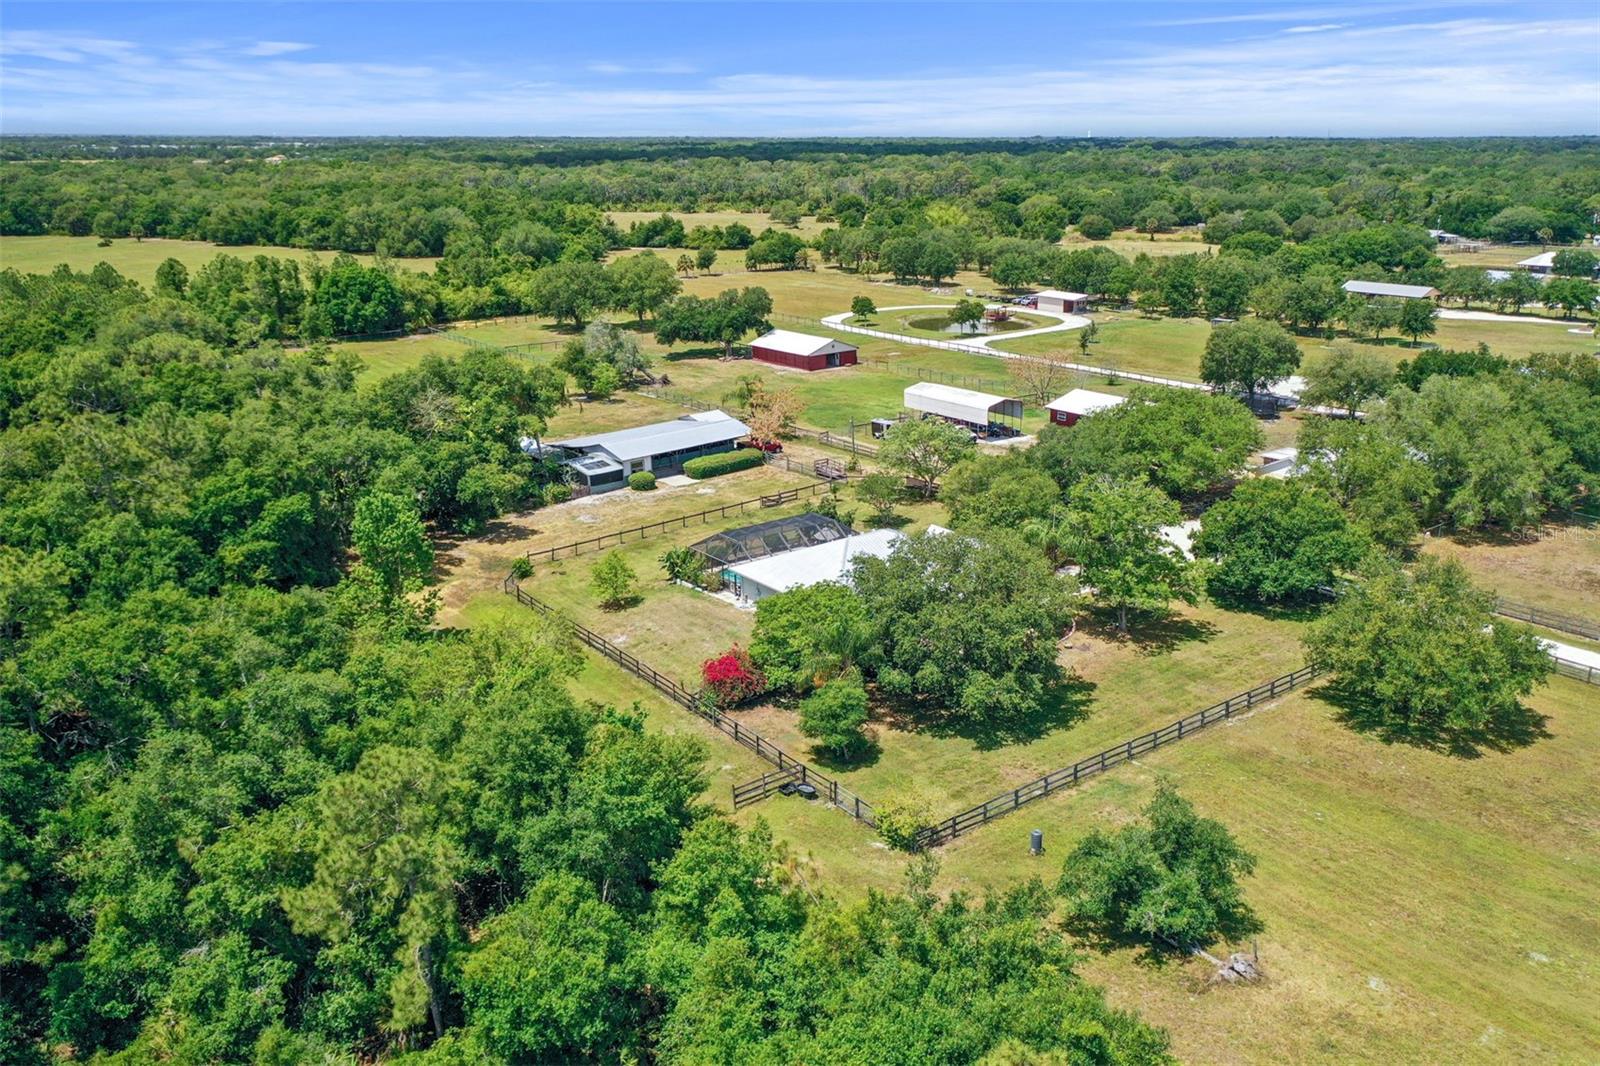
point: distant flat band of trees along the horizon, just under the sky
(222, 190)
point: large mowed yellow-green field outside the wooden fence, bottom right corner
(1418, 908)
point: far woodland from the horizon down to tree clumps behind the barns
(522, 230)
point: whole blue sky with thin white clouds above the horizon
(887, 70)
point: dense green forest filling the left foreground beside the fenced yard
(255, 808)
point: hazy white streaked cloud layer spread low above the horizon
(1428, 79)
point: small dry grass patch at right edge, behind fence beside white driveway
(1558, 571)
